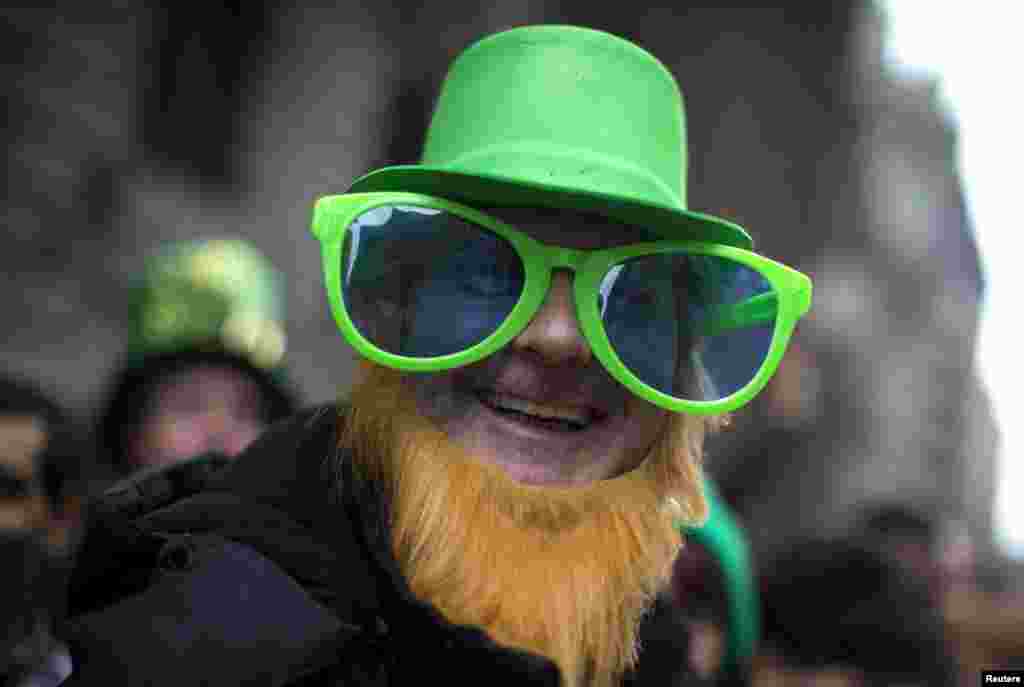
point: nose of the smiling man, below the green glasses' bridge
(554, 332)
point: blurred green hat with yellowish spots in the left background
(218, 294)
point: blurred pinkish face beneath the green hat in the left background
(207, 409)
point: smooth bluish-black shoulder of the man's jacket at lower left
(216, 613)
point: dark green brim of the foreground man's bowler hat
(495, 191)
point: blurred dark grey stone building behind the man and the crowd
(133, 124)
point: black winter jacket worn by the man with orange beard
(255, 575)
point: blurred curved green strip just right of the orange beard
(724, 538)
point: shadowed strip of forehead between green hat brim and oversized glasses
(572, 229)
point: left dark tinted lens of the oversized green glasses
(423, 283)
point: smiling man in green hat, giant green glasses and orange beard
(545, 335)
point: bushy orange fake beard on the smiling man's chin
(566, 573)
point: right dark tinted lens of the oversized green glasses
(694, 327)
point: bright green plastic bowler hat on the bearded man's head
(561, 117)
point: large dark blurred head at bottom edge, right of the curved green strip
(839, 615)
